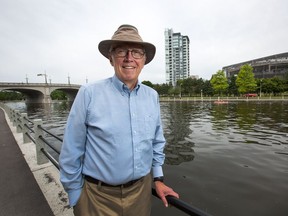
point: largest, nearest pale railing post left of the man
(41, 158)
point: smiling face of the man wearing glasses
(128, 61)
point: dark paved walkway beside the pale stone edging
(20, 194)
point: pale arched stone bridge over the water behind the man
(40, 92)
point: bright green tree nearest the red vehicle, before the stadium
(245, 80)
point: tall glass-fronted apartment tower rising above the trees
(176, 56)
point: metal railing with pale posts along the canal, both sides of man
(35, 132)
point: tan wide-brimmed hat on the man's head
(127, 34)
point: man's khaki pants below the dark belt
(97, 200)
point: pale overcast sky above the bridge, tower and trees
(60, 38)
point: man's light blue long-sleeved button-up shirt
(112, 134)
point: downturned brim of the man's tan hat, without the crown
(105, 45)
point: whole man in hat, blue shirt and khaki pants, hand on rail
(113, 141)
